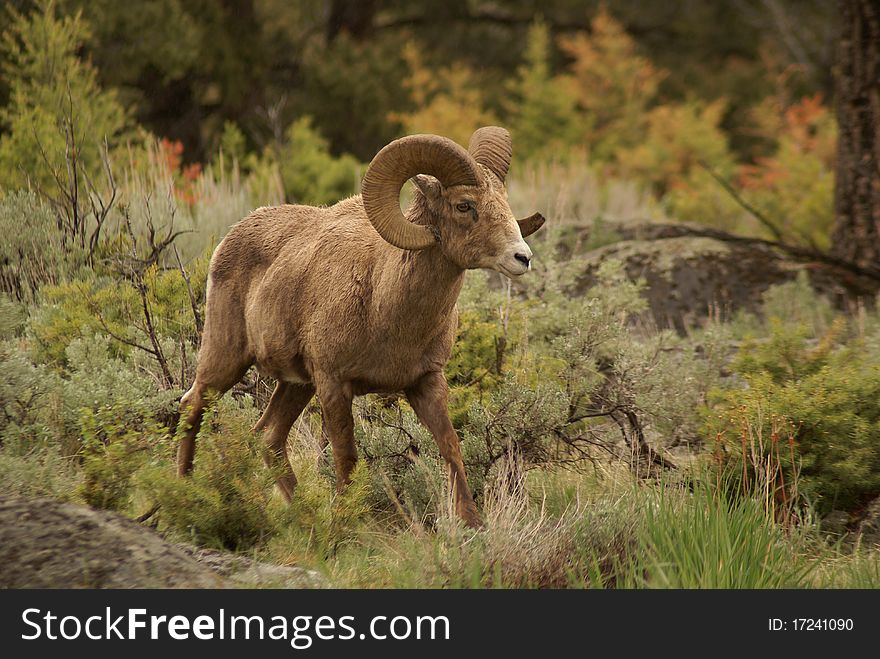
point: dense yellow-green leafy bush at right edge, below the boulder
(820, 395)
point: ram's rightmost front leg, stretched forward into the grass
(429, 401)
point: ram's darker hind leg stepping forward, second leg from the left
(287, 403)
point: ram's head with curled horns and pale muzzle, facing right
(462, 202)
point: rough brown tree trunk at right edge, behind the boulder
(857, 191)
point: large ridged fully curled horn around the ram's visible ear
(397, 163)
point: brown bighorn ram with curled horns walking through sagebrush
(358, 297)
